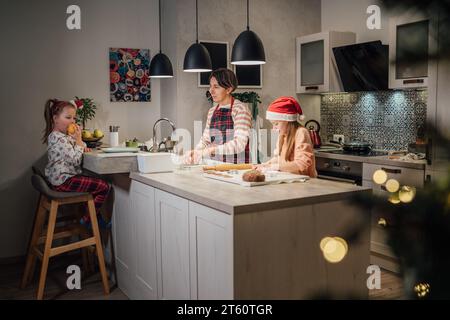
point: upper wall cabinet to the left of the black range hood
(315, 65)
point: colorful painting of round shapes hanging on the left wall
(129, 75)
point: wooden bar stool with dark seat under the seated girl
(49, 201)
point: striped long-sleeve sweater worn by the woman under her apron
(242, 120)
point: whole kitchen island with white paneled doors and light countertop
(184, 236)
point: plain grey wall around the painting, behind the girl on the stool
(42, 59)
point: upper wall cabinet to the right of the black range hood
(410, 43)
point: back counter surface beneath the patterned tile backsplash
(418, 164)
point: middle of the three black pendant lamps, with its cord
(197, 57)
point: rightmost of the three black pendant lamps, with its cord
(248, 48)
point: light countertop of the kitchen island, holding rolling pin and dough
(235, 199)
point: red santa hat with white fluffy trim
(285, 109)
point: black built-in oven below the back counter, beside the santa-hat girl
(339, 170)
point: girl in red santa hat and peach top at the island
(294, 150)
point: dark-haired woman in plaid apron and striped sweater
(227, 131)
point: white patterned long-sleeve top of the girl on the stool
(64, 158)
